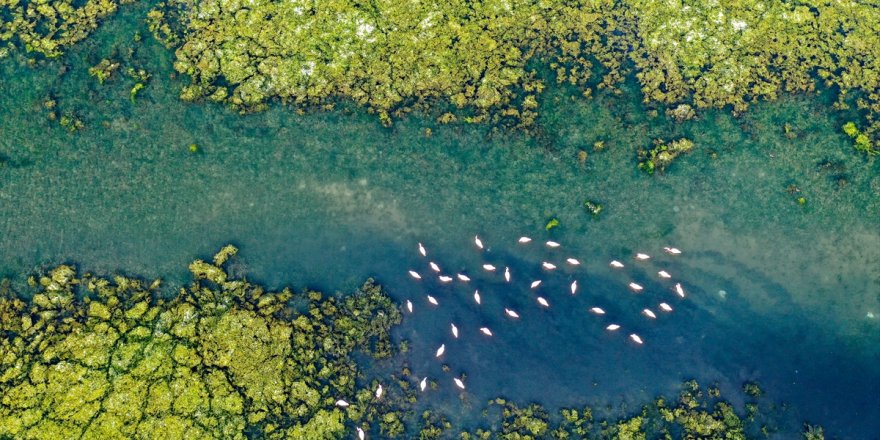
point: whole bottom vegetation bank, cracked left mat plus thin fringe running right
(93, 357)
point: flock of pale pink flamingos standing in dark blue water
(434, 270)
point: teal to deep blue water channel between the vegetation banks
(329, 199)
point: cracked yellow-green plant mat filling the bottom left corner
(96, 357)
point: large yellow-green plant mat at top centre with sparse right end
(389, 56)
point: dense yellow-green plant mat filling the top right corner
(733, 53)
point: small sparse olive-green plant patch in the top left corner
(48, 27)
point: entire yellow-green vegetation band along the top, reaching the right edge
(476, 58)
